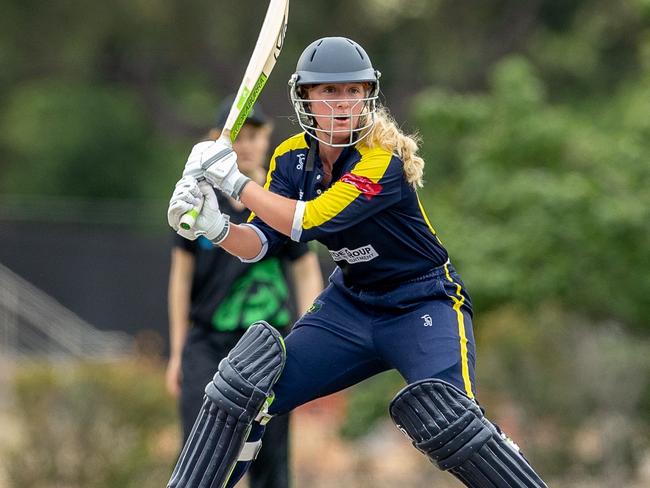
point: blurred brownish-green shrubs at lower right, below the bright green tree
(561, 385)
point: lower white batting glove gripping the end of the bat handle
(210, 222)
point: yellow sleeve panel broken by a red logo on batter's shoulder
(373, 165)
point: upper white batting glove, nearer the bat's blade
(218, 165)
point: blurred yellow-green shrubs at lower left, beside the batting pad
(103, 425)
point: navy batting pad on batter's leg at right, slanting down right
(450, 429)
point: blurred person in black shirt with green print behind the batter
(214, 297)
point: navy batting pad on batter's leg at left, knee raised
(233, 399)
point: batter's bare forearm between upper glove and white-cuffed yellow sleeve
(276, 210)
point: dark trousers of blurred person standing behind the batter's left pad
(201, 355)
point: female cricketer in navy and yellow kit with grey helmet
(394, 301)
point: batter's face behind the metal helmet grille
(336, 108)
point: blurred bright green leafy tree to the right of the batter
(539, 203)
